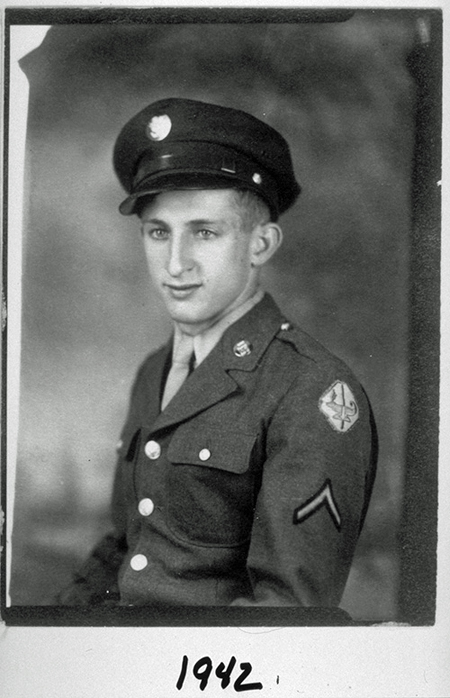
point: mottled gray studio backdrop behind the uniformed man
(344, 99)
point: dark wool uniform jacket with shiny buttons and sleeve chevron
(250, 488)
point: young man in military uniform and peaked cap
(246, 462)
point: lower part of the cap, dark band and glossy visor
(199, 161)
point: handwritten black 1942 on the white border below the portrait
(203, 669)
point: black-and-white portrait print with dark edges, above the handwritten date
(227, 382)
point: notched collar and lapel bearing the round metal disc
(211, 382)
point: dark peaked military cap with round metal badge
(186, 144)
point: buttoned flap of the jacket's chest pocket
(222, 449)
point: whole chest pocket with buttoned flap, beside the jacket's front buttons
(210, 486)
